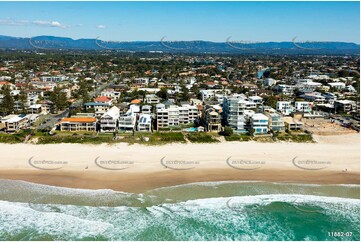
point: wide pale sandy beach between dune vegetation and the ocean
(136, 168)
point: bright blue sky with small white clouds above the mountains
(214, 21)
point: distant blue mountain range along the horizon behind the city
(228, 47)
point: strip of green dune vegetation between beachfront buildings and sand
(156, 138)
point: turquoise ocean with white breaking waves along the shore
(198, 211)
